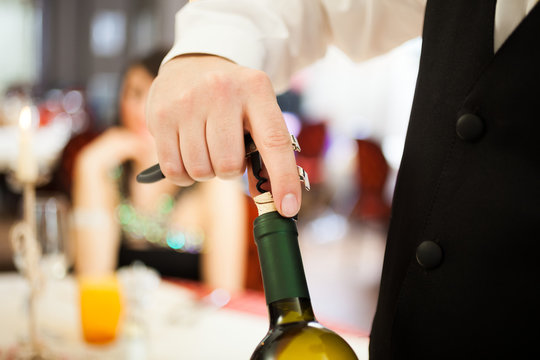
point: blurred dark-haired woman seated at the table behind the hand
(195, 233)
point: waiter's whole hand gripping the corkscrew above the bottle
(198, 109)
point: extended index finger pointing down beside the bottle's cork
(273, 141)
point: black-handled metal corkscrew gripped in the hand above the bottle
(154, 173)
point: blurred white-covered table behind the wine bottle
(181, 324)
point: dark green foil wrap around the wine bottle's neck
(279, 255)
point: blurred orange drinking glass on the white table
(101, 308)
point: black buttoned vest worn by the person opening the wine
(461, 274)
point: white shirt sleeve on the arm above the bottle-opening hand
(282, 36)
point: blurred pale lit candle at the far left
(27, 167)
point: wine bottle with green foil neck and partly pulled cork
(294, 332)
